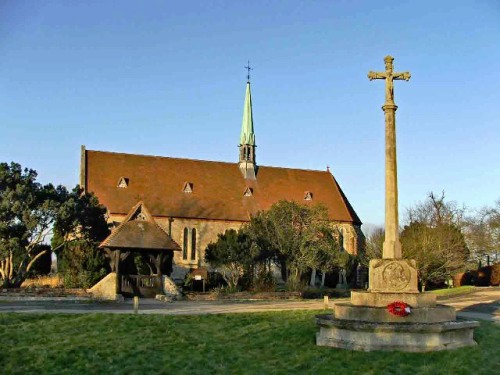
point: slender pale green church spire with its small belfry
(247, 138)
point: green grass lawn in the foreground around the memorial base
(258, 343)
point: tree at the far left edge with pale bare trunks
(27, 213)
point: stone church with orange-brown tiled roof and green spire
(195, 200)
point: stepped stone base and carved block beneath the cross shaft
(365, 323)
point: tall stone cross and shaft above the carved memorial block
(392, 246)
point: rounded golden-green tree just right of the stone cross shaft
(433, 237)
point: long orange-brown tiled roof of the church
(217, 188)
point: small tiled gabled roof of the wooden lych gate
(139, 231)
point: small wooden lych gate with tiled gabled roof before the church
(139, 234)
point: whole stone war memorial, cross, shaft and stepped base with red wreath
(392, 314)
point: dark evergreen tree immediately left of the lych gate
(80, 227)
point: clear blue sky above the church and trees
(167, 78)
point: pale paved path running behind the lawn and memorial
(482, 304)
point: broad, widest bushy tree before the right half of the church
(298, 238)
